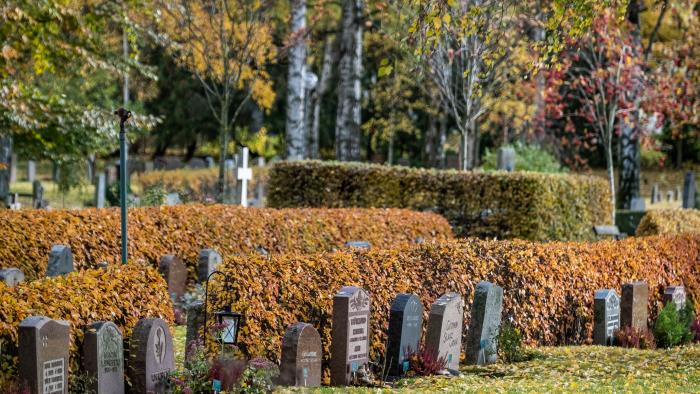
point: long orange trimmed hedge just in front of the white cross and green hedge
(93, 234)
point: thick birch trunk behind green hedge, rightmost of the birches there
(347, 130)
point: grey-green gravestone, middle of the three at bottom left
(103, 357)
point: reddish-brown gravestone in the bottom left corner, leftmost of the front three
(43, 355)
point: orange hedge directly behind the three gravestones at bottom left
(122, 294)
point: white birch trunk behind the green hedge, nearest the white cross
(296, 136)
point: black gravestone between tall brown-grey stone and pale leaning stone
(405, 328)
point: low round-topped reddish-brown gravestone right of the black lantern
(301, 356)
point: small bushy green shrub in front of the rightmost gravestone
(672, 326)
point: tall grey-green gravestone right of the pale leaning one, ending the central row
(485, 324)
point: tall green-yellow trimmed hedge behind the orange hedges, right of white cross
(523, 205)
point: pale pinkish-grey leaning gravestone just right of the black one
(444, 332)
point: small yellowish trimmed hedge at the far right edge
(670, 221)
